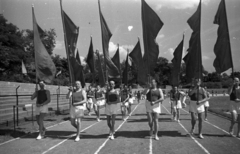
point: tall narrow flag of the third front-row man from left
(106, 35)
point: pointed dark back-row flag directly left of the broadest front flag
(137, 60)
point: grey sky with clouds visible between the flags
(124, 21)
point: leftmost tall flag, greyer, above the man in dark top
(45, 68)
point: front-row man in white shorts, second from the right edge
(198, 97)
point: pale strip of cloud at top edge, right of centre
(179, 4)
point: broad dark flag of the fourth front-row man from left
(151, 25)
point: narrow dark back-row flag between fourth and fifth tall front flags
(176, 61)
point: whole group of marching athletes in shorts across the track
(124, 97)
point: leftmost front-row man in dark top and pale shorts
(43, 99)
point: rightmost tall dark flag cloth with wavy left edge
(222, 48)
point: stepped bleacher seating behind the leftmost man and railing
(8, 99)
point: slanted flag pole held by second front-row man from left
(66, 45)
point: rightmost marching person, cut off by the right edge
(234, 92)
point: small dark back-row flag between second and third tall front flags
(90, 58)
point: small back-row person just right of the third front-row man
(124, 100)
